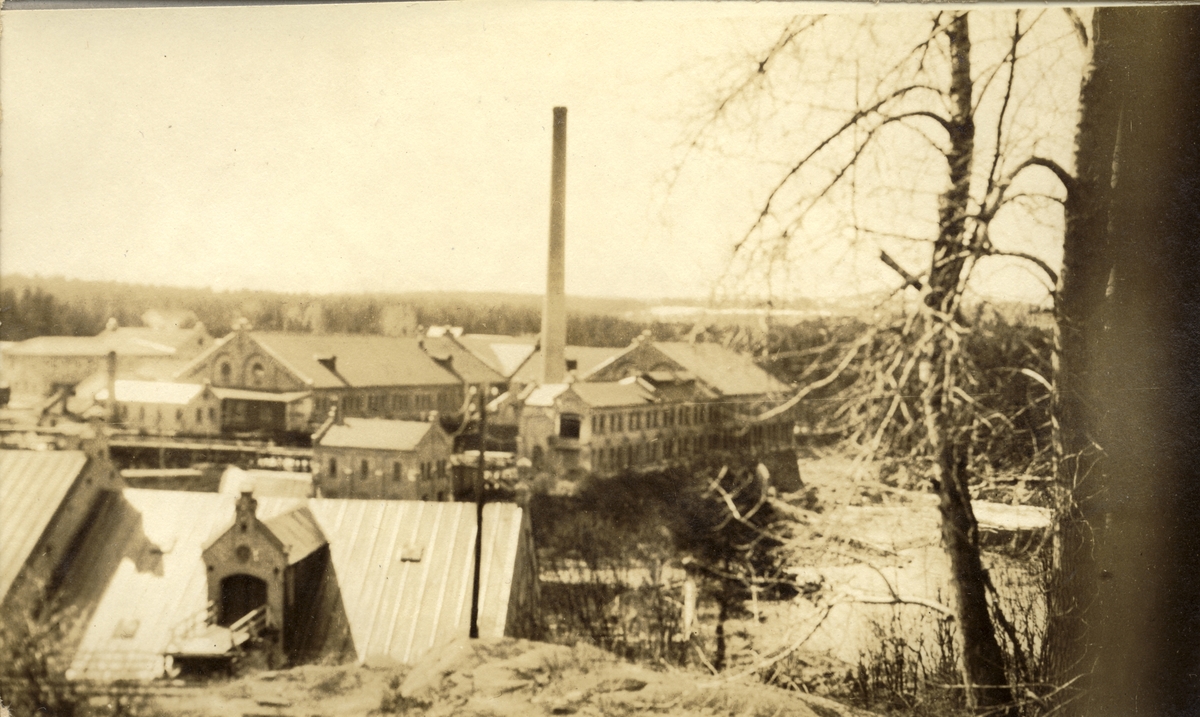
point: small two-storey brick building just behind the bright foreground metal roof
(377, 459)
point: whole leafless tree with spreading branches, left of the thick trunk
(935, 100)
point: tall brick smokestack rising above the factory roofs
(554, 314)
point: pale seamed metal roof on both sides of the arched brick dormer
(143, 573)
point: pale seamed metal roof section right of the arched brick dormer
(399, 610)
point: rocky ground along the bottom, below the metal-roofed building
(493, 678)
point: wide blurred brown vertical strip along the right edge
(1145, 622)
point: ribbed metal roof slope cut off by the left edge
(33, 485)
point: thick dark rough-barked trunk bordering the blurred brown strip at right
(1079, 309)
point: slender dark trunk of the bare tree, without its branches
(983, 660)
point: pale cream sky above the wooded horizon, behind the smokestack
(385, 147)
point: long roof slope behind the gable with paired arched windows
(362, 361)
